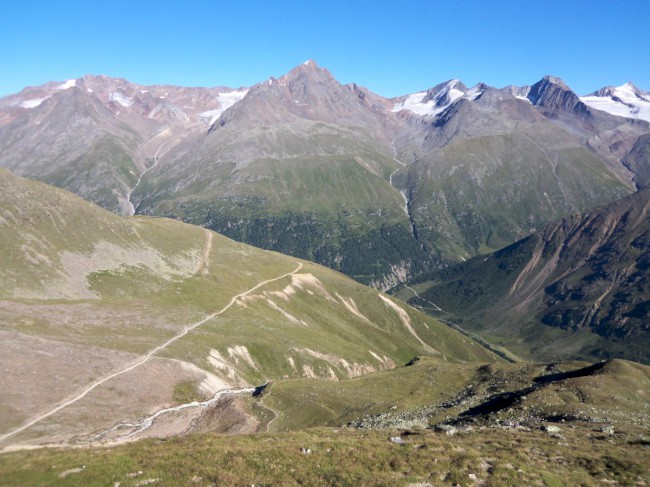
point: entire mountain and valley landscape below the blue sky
(304, 282)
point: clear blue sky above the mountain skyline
(391, 47)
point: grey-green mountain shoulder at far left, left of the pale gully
(72, 141)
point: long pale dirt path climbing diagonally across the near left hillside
(145, 358)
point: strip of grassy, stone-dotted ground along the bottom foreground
(344, 456)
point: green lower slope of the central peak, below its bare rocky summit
(311, 190)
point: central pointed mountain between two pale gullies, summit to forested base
(301, 165)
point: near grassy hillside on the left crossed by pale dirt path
(164, 307)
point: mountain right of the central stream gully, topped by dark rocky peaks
(492, 168)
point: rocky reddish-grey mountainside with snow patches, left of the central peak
(97, 135)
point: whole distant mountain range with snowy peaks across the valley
(381, 189)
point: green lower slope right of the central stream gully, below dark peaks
(477, 195)
